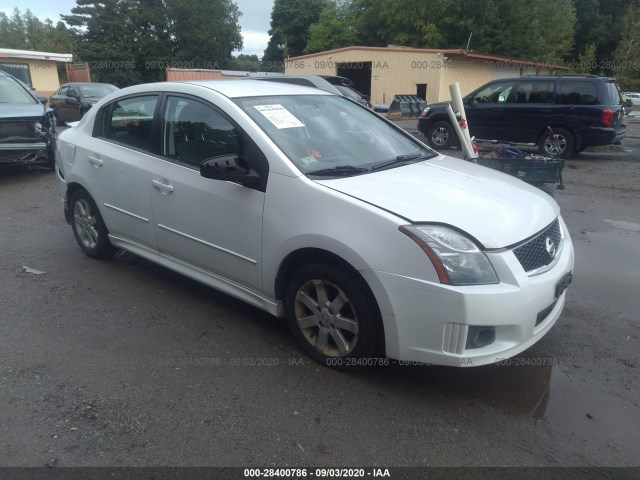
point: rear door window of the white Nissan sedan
(128, 121)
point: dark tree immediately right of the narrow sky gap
(290, 22)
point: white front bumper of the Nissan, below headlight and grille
(429, 322)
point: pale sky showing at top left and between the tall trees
(254, 21)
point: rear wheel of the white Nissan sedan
(88, 226)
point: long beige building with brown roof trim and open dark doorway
(382, 72)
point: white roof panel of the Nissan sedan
(254, 88)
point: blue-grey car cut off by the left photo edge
(27, 127)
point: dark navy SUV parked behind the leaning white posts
(582, 111)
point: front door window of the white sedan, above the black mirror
(193, 132)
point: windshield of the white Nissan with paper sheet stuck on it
(327, 132)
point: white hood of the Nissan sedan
(496, 209)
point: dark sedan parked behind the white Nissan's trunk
(73, 100)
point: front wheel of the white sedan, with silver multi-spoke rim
(332, 316)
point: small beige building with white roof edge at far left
(37, 69)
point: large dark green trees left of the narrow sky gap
(127, 42)
